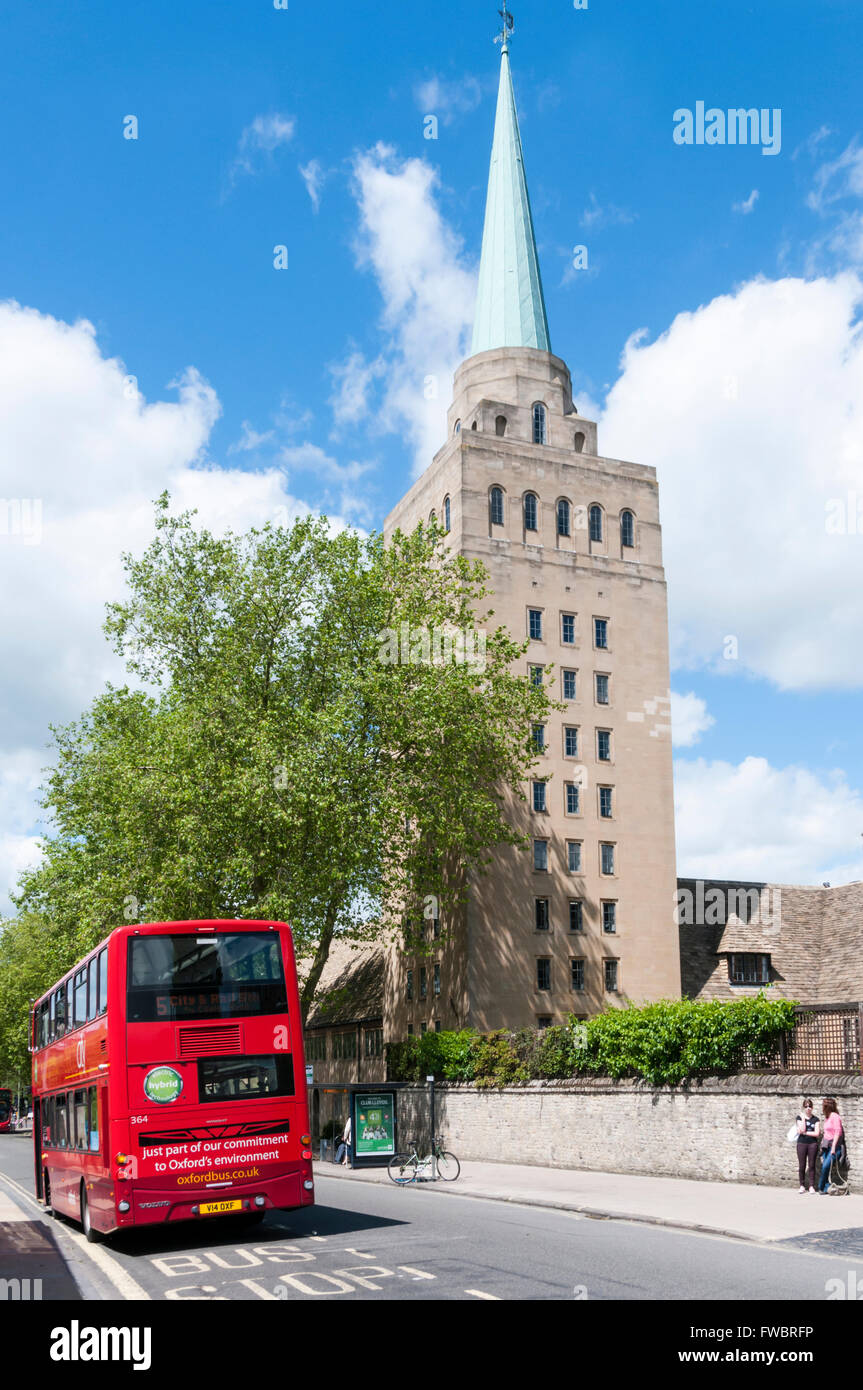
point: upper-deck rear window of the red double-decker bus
(217, 976)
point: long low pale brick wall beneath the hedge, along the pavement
(721, 1131)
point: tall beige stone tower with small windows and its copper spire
(573, 547)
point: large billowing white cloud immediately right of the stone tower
(751, 409)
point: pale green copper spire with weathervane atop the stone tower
(511, 306)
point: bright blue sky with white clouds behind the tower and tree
(304, 387)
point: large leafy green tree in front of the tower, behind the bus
(273, 760)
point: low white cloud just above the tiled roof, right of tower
(765, 824)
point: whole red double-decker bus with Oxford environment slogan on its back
(169, 1078)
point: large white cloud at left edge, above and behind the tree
(81, 440)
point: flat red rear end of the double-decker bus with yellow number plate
(215, 1120)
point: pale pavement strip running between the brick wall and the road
(739, 1210)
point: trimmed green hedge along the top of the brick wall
(666, 1045)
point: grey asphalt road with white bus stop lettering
(370, 1243)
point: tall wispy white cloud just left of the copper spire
(429, 293)
